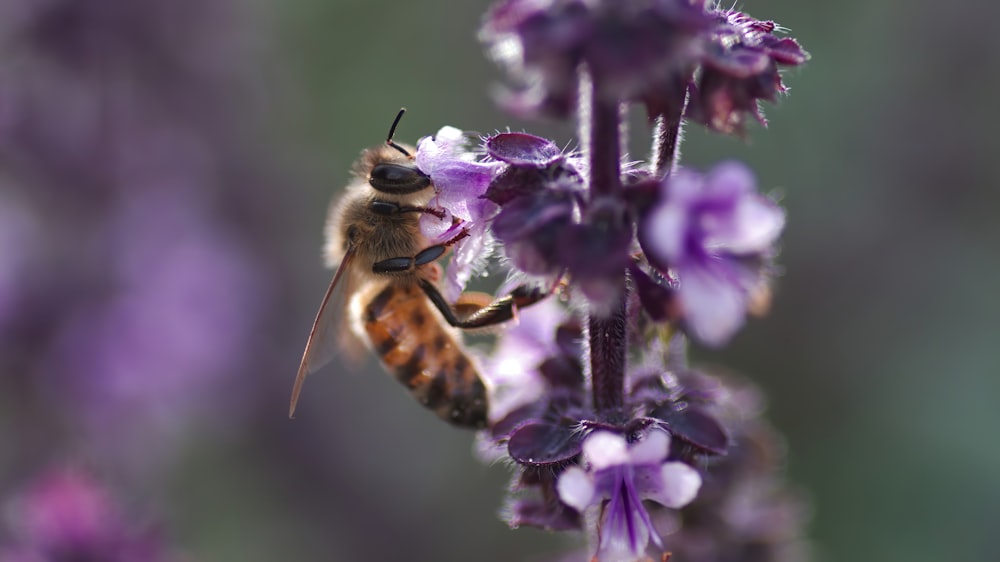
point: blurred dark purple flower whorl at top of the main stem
(633, 48)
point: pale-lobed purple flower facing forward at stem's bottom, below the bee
(625, 475)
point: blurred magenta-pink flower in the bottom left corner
(66, 516)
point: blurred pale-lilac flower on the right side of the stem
(714, 232)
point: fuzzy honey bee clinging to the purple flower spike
(386, 274)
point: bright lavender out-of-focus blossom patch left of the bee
(163, 345)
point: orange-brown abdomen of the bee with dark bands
(421, 353)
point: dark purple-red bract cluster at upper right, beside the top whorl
(740, 66)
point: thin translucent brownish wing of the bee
(323, 338)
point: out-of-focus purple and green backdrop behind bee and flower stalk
(164, 174)
